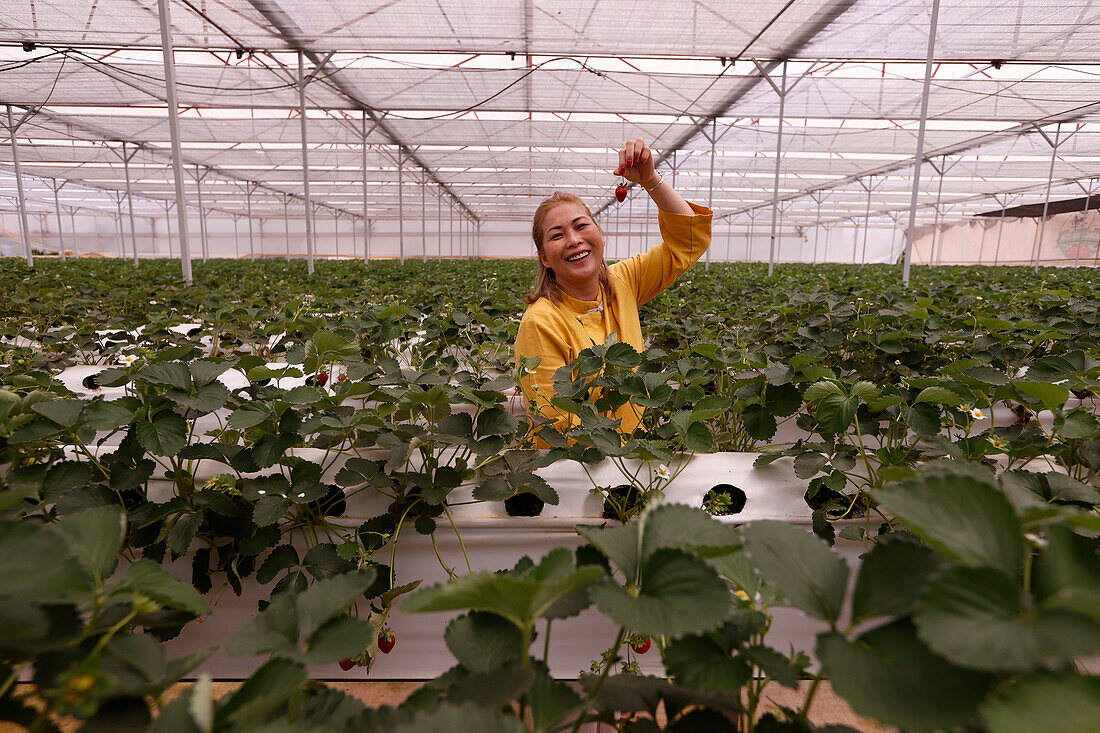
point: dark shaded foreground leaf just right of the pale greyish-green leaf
(892, 579)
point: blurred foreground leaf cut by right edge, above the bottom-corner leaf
(1068, 575)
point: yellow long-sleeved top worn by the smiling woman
(559, 333)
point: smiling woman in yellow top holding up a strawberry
(579, 301)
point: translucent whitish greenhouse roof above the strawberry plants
(489, 108)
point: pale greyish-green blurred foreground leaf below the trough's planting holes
(800, 566)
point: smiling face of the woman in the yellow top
(574, 248)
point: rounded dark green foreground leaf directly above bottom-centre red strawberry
(677, 594)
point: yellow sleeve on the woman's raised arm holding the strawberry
(684, 240)
